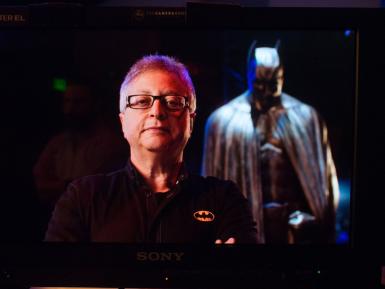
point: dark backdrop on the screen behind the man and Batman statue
(319, 70)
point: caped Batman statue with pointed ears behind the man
(276, 149)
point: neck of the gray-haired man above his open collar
(159, 172)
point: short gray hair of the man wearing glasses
(158, 62)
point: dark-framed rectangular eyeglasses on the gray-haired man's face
(171, 101)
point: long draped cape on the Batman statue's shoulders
(232, 151)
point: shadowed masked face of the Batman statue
(268, 82)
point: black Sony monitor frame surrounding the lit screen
(112, 265)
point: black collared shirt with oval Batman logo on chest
(119, 207)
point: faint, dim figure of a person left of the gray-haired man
(88, 145)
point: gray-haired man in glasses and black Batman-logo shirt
(154, 198)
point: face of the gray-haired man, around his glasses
(156, 129)
